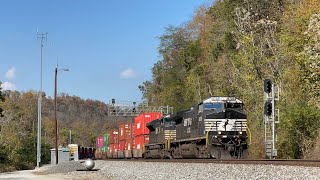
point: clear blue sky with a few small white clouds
(109, 46)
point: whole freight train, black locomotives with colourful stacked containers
(213, 128)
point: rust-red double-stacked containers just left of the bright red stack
(125, 140)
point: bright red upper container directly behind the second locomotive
(140, 122)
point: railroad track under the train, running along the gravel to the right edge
(286, 162)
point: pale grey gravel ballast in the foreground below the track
(162, 170)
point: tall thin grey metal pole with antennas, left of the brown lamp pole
(43, 38)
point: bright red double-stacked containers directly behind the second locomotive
(141, 132)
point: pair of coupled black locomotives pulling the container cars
(213, 128)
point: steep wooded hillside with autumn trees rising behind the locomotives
(230, 48)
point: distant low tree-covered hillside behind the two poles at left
(85, 118)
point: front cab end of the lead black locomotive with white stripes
(225, 126)
